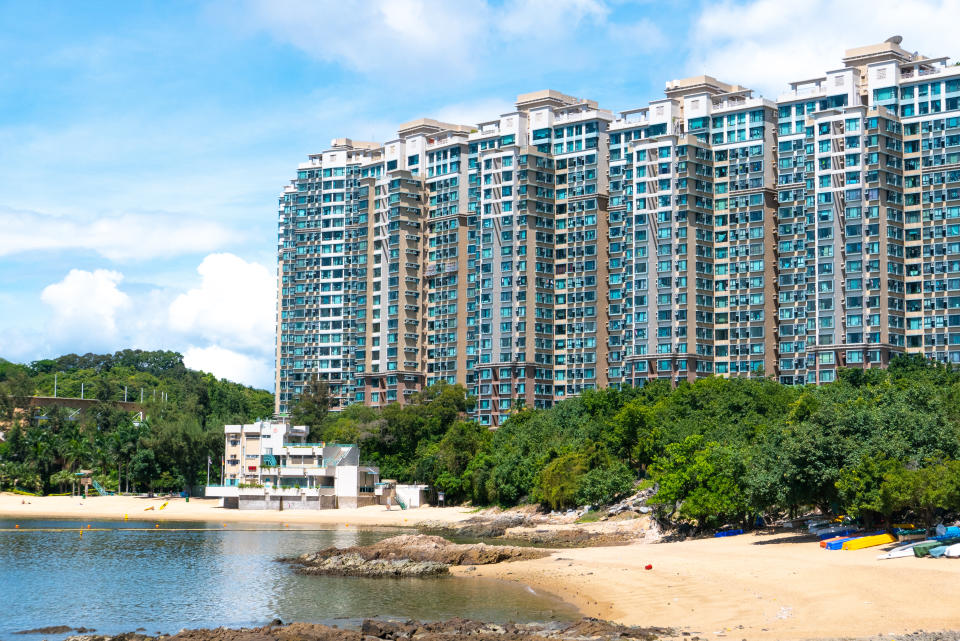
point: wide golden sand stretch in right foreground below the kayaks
(772, 585)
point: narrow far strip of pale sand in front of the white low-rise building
(116, 507)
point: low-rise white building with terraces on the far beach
(270, 465)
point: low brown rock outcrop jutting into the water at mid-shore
(409, 555)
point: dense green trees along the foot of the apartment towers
(876, 444)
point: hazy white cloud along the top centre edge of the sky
(455, 41)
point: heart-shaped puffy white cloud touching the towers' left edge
(234, 305)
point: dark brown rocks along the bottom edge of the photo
(372, 630)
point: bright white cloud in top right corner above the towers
(766, 44)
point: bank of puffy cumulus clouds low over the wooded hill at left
(223, 325)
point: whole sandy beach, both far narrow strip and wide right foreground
(754, 586)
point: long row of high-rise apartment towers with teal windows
(562, 247)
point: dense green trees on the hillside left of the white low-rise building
(183, 418)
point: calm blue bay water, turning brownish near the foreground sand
(120, 576)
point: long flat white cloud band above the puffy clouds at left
(116, 237)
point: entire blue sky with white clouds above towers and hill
(143, 145)
